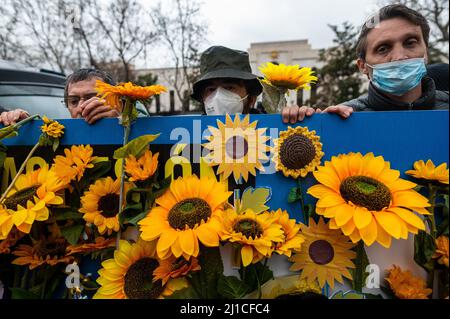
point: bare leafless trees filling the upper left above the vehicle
(70, 34)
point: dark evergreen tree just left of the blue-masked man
(339, 78)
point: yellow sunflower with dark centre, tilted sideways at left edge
(29, 200)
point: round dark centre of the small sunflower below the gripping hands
(297, 152)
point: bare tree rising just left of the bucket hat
(181, 33)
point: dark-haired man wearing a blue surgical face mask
(393, 55)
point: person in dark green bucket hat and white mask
(227, 84)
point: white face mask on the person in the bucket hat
(223, 102)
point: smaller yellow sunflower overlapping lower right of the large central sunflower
(257, 234)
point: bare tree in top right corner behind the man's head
(437, 14)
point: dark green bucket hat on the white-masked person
(220, 62)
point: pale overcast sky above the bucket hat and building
(238, 23)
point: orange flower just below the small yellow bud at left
(73, 165)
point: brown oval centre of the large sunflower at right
(366, 192)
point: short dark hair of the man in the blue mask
(390, 12)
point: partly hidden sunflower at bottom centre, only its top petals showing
(287, 287)
